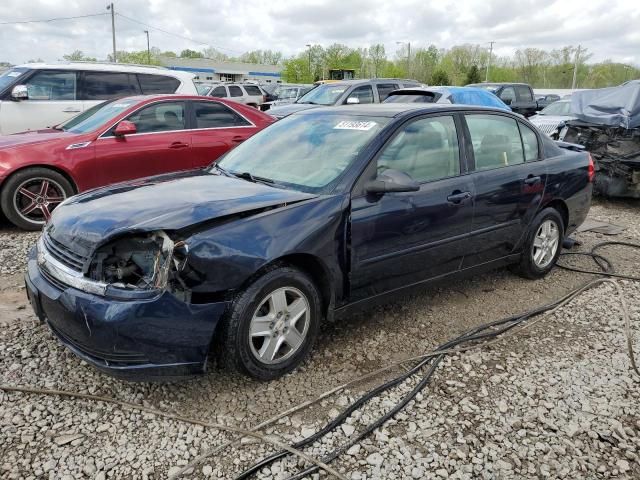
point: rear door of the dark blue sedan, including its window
(509, 182)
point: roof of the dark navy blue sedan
(394, 109)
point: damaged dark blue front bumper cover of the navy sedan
(136, 339)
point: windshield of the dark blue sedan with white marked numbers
(304, 152)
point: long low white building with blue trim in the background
(207, 70)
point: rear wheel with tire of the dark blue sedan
(542, 246)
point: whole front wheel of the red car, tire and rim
(29, 197)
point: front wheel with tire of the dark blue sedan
(272, 325)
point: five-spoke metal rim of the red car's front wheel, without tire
(35, 199)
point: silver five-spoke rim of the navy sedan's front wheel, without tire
(279, 325)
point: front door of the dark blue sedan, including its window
(398, 239)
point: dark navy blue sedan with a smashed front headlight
(324, 211)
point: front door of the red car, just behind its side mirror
(162, 144)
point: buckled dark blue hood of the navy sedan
(168, 202)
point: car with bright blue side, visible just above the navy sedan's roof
(462, 95)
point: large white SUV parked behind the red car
(36, 96)
